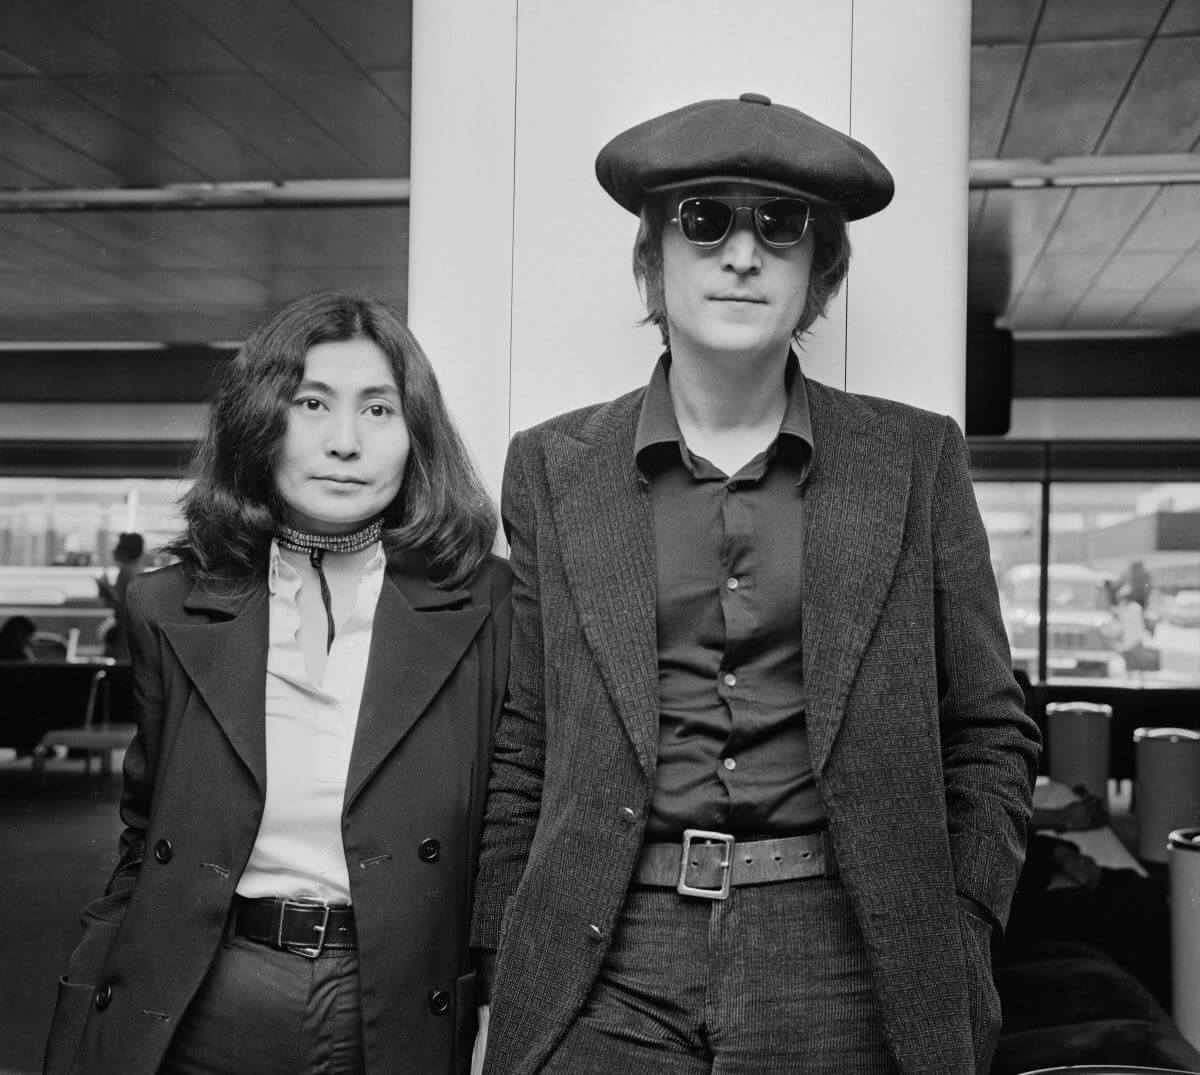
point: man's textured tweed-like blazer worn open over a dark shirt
(923, 754)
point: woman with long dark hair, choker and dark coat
(316, 687)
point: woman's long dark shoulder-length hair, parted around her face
(233, 509)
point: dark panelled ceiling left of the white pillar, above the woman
(135, 94)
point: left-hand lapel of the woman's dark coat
(226, 660)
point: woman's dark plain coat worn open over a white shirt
(195, 778)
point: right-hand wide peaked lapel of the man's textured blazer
(856, 501)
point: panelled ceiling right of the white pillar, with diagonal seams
(1059, 79)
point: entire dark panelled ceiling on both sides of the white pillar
(128, 93)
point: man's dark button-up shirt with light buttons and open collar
(734, 752)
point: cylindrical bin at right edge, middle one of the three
(1167, 794)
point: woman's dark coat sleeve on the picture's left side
(103, 918)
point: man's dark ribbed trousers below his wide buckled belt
(773, 980)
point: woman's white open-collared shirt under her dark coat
(310, 731)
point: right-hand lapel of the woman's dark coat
(419, 636)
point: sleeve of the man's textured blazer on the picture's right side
(989, 746)
